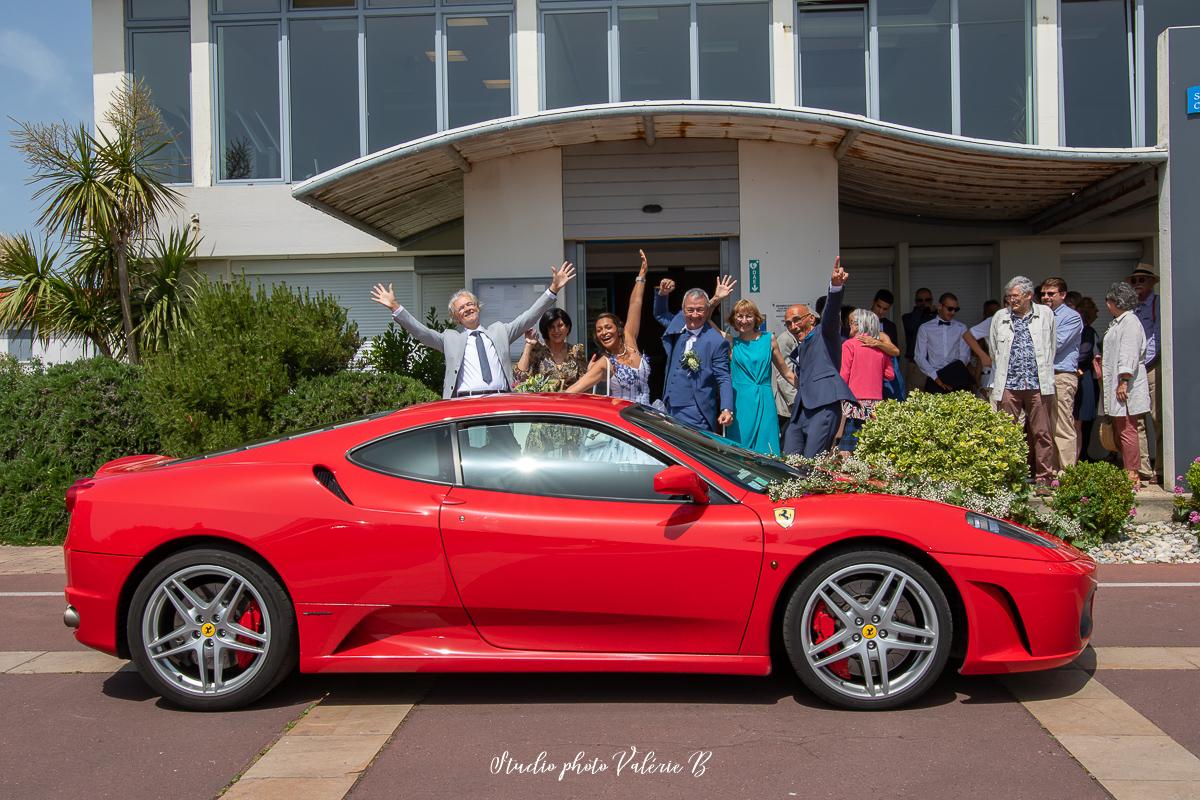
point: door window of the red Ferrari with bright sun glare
(556, 459)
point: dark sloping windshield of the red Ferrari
(746, 468)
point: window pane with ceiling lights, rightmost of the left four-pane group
(479, 76)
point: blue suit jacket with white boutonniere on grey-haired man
(710, 386)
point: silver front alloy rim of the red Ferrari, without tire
(885, 637)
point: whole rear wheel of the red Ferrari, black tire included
(212, 630)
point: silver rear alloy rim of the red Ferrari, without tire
(194, 633)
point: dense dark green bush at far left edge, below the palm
(59, 424)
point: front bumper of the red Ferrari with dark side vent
(1024, 616)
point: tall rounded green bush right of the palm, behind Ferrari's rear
(218, 386)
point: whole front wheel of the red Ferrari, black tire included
(886, 613)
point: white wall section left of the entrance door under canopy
(514, 216)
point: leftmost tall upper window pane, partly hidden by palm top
(163, 61)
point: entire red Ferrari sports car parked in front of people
(547, 533)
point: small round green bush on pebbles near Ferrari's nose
(1099, 496)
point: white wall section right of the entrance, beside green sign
(789, 222)
